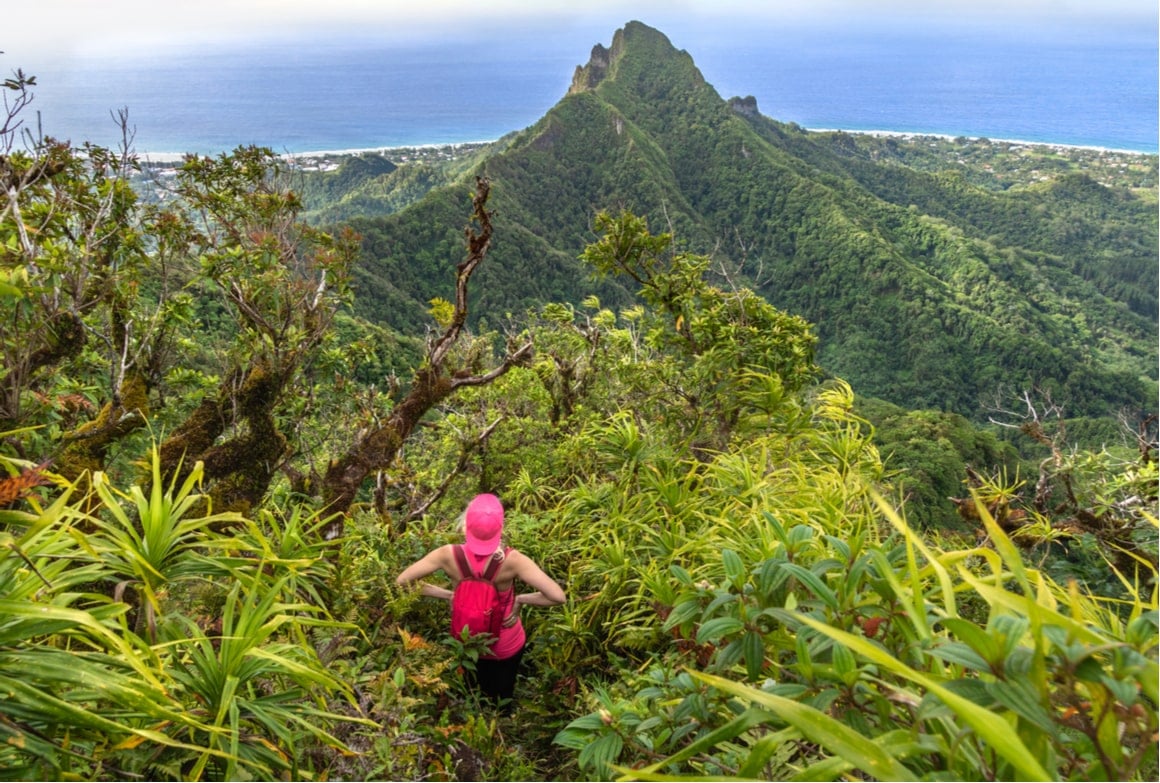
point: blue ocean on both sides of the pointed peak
(356, 95)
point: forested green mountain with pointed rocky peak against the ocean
(925, 288)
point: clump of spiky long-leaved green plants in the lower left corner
(146, 651)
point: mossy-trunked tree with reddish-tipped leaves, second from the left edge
(282, 285)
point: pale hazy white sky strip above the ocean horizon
(49, 31)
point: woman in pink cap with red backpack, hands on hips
(483, 557)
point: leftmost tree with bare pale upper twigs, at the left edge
(72, 256)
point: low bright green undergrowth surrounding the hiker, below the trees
(760, 614)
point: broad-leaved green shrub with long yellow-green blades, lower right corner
(894, 662)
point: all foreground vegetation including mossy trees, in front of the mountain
(746, 594)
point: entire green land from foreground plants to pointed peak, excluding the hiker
(843, 447)
